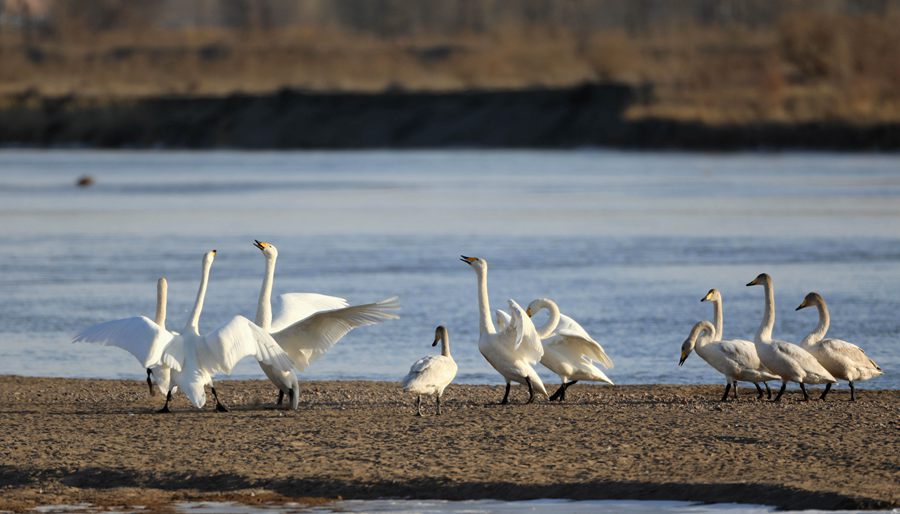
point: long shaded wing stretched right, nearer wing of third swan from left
(310, 338)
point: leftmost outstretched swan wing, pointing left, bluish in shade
(140, 336)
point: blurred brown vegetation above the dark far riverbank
(717, 62)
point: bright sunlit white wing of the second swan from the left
(223, 348)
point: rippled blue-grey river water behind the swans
(627, 243)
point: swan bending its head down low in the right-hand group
(736, 359)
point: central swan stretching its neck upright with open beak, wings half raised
(513, 351)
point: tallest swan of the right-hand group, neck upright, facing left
(786, 360)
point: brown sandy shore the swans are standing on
(99, 441)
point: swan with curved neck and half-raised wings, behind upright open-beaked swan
(569, 351)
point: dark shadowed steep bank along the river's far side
(587, 115)
